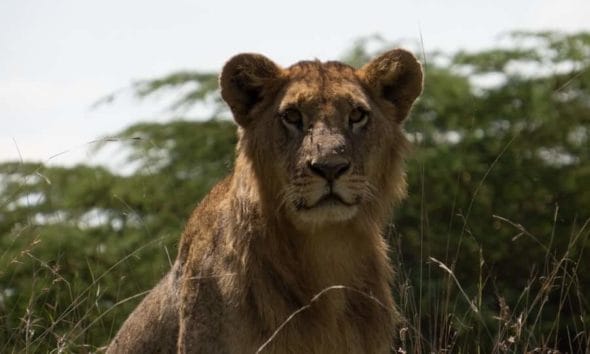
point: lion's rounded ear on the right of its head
(395, 76)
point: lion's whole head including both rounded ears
(324, 139)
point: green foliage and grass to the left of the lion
(76, 241)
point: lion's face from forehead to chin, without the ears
(325, 126)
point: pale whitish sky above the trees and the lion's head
(57, 58)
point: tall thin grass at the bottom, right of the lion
(449, 318)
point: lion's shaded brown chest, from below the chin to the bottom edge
(291, 304)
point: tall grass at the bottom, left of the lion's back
(52, 304)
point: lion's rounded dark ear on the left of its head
(244, 80)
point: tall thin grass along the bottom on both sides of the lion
(449, 316)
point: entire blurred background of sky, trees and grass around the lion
(112, 129)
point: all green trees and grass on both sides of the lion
(491, 246)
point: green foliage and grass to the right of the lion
(498, 193)
